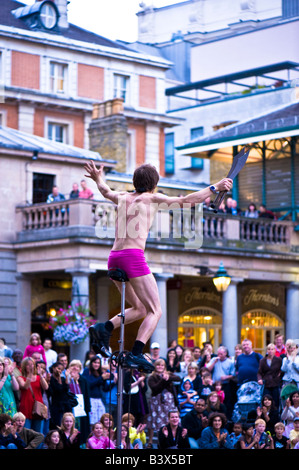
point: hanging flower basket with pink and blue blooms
(71, 325)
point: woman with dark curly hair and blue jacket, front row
(215, 436)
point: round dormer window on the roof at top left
(41, 15)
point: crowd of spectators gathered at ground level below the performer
(190, 400)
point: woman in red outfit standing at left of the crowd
(31, 385)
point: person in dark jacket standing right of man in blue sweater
(270, 373)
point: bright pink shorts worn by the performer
(131, 260)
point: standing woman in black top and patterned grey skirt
(161, 383)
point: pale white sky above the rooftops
(113, 19)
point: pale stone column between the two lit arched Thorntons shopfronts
(230, 317)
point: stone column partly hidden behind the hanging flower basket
(80, 294)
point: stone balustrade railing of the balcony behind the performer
(39, 221)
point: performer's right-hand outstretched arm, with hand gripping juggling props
(196, 197)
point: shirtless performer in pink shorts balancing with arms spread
(133, 221)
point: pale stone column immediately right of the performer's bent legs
(160, 334)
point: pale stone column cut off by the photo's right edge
(292, 317)
